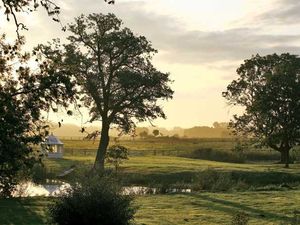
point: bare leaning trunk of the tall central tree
(104, 141)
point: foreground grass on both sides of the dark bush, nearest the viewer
(199, 208)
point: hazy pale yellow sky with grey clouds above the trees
(200, 42)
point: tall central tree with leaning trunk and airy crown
(117, 81)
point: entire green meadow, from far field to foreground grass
(263, 189)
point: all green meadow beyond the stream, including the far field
(164, 161)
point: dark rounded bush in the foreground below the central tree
(95, 200)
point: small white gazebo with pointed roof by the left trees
(53, 147)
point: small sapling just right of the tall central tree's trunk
(116, 155)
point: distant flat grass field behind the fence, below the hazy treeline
(217, 149)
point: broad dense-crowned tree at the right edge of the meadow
(268, 87)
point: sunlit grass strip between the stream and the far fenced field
(177, 171)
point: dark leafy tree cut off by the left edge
(24, 94)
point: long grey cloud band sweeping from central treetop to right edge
(179, 45)
